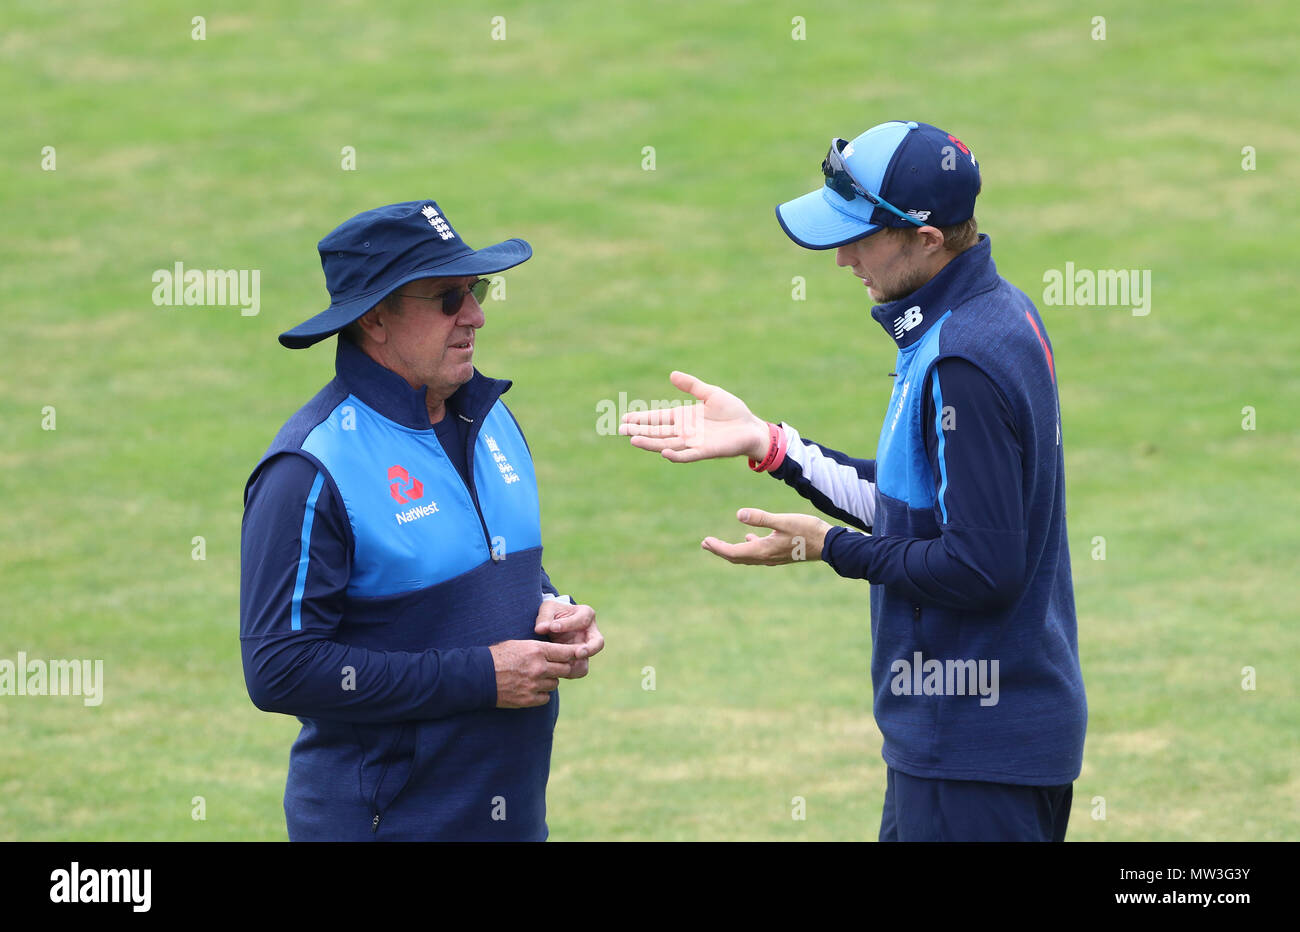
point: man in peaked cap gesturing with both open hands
(976, 658)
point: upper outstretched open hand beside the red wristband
(720, 426)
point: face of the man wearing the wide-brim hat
(427, 346)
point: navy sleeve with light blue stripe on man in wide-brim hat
(296, 558)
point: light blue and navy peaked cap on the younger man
(921, 170)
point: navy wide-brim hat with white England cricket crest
(378, 252)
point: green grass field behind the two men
(226, 153)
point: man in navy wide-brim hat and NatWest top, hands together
(393, 595)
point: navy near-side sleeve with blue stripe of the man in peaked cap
(978, 561)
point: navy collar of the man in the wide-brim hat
(389, 395)
